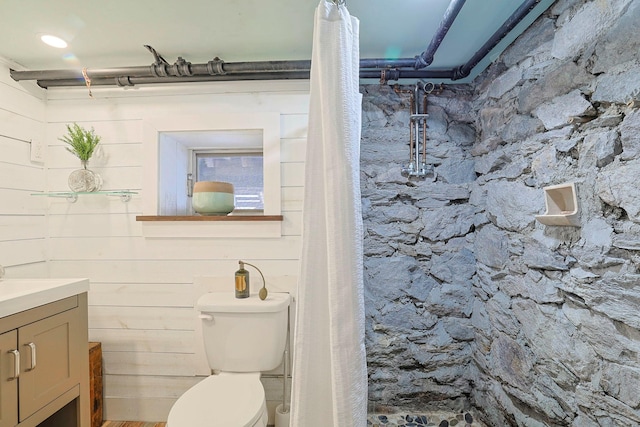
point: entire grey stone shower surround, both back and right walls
(471, 302)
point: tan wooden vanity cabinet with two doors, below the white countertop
(44, 365)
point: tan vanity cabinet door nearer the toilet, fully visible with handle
(51, 349)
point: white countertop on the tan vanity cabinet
(18, 295)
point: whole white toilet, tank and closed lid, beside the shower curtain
(242, 338)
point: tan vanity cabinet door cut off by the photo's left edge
(8, 380)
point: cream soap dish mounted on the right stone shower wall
(561, 205)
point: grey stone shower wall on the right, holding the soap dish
(557, 309)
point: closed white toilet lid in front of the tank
(220, 400)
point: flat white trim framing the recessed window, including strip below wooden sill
(268, 123)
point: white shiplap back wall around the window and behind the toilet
(142, 289)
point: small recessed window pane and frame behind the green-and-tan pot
(243, 169)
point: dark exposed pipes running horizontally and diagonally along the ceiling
(218, 70)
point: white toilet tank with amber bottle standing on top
(244, 334)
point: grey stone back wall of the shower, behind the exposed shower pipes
(419, 260)
